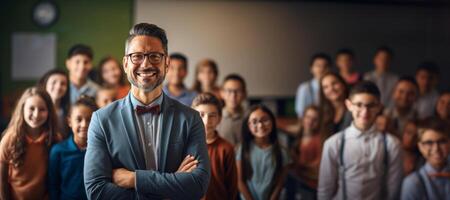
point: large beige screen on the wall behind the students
(270, 43)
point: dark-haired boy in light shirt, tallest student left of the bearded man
(79, 64)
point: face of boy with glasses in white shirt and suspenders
(364, 108)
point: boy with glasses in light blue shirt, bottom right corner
(432, 181)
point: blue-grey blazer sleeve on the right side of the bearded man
(191, 185)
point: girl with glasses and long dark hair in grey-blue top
(261, 161)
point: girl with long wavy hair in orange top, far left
(24, 147)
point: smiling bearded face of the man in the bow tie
(145, 76)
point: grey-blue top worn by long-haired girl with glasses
(263, 167)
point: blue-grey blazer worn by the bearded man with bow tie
(113, 142)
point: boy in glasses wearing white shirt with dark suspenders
(361, 162)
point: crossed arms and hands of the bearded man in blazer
(103, 182)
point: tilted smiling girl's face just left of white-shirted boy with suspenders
(332, 88)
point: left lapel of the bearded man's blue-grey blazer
(131, 131)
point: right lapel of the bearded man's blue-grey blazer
(167, 121)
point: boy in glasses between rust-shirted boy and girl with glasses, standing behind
(233, 92)
